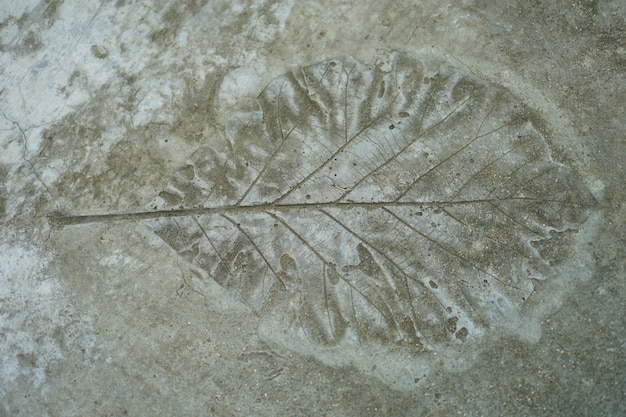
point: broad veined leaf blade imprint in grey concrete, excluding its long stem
(377, 204)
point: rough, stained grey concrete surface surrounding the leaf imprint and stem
(101, 103)
